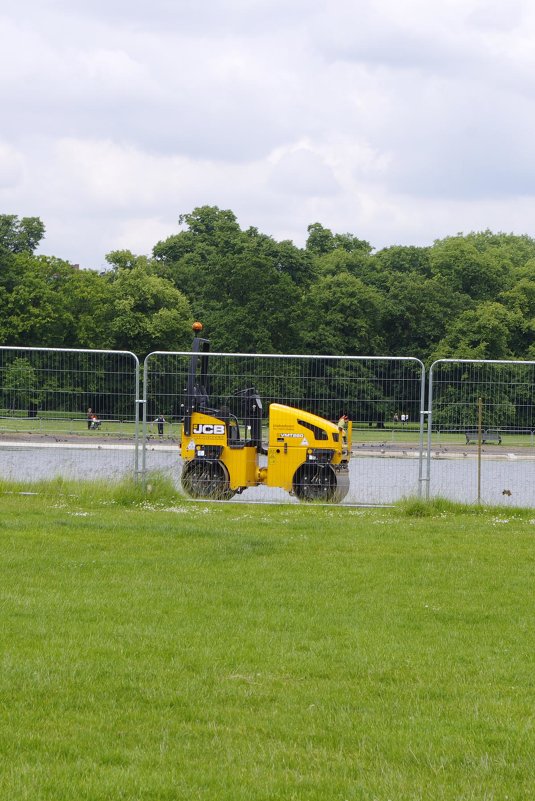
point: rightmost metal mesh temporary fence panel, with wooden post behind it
(481, 431)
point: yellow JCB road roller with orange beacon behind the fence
(224, 451)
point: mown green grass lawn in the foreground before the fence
(159, 649)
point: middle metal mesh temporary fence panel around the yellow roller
(382, 397)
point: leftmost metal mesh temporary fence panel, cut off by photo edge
(69, 413)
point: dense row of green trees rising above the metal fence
(466, 296)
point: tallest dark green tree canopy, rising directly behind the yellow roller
(243, 285)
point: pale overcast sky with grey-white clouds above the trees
(399, 121)
